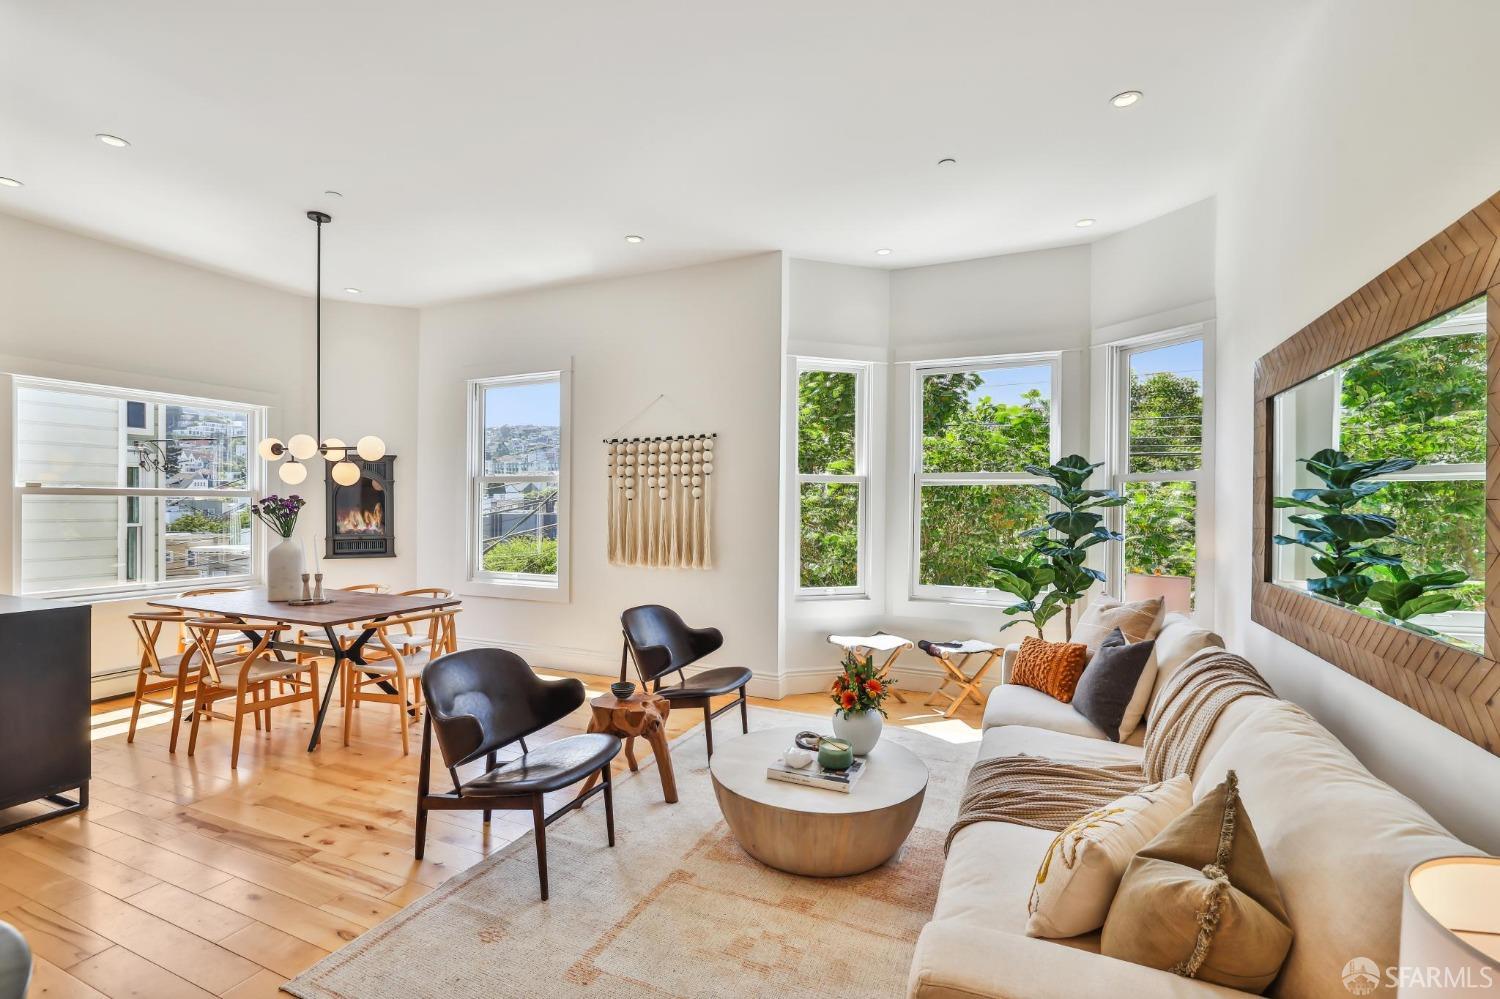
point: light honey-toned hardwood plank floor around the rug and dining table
(185, 878)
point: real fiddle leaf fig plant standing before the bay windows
(1055, 575)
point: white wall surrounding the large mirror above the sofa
(1379, 136)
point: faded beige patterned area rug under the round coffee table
(676, 910)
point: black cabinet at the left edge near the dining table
(44, 707)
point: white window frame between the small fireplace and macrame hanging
(518, 586)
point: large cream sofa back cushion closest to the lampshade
(1337, 841)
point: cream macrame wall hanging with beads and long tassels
(661, 500)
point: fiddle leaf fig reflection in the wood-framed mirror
(1346, 550)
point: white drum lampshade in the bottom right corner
(1451, 929)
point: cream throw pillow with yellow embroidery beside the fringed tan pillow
(1085, 865)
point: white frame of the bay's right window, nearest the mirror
(1202, 478)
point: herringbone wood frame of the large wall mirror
(1459, 691)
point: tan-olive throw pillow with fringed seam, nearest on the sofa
(1199, 901)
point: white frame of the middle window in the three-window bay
(985, 596)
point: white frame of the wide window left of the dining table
(254, 475)
